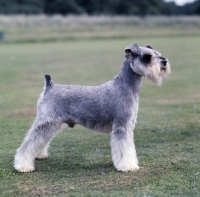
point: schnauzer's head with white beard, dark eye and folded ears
(147, 62)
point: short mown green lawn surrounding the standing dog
(167, 133)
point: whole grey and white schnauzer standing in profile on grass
(109, 108)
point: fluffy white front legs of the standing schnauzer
(123, 149)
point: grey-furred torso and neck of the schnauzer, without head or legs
(94, 107)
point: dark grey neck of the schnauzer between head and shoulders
(129, 78)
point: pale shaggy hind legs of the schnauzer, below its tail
(35, 144)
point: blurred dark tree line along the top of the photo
(94, 7)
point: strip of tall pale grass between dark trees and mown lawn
(22, 28)
